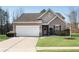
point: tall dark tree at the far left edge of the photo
(4, 20)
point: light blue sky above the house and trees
(64, 10)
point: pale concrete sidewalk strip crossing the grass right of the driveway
(53, 48)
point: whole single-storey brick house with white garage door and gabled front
(38, 24)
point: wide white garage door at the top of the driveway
(29, 30)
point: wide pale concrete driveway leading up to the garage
(19, 44)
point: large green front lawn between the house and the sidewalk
(51, 41)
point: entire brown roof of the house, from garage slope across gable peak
(34, 17)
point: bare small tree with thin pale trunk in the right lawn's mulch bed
(72, 19)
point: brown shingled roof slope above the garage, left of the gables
(27, 17)
